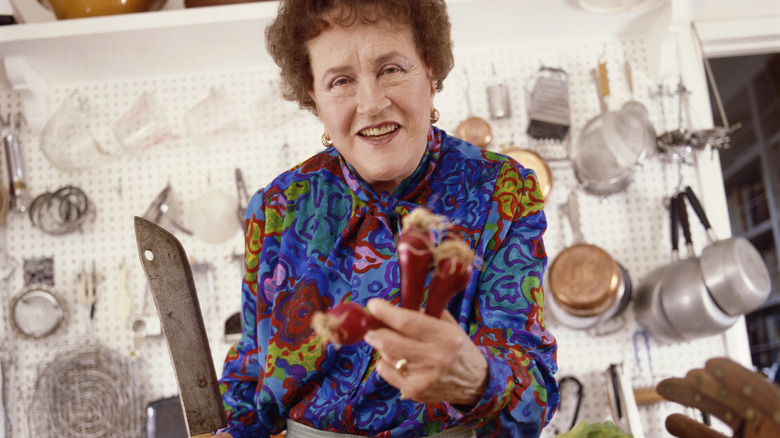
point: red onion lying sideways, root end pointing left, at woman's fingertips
(344, 323)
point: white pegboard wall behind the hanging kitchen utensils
(631, 225)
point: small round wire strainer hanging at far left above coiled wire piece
(37, 311)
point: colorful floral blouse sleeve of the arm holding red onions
(522, 393)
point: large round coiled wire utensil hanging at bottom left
(88, 391)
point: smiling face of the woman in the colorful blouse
(374, 95)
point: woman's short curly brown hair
(299, 21)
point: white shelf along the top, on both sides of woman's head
(173, 41)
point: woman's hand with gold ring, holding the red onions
(441, 362)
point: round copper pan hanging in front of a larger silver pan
(585, 280)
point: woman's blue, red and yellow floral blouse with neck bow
(318, 235)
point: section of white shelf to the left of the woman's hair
(144, 44)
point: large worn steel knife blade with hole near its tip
(169, 274)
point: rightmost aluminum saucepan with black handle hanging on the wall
(733, 270)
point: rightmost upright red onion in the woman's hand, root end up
(452, 273)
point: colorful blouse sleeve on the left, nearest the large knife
(242, 369)
